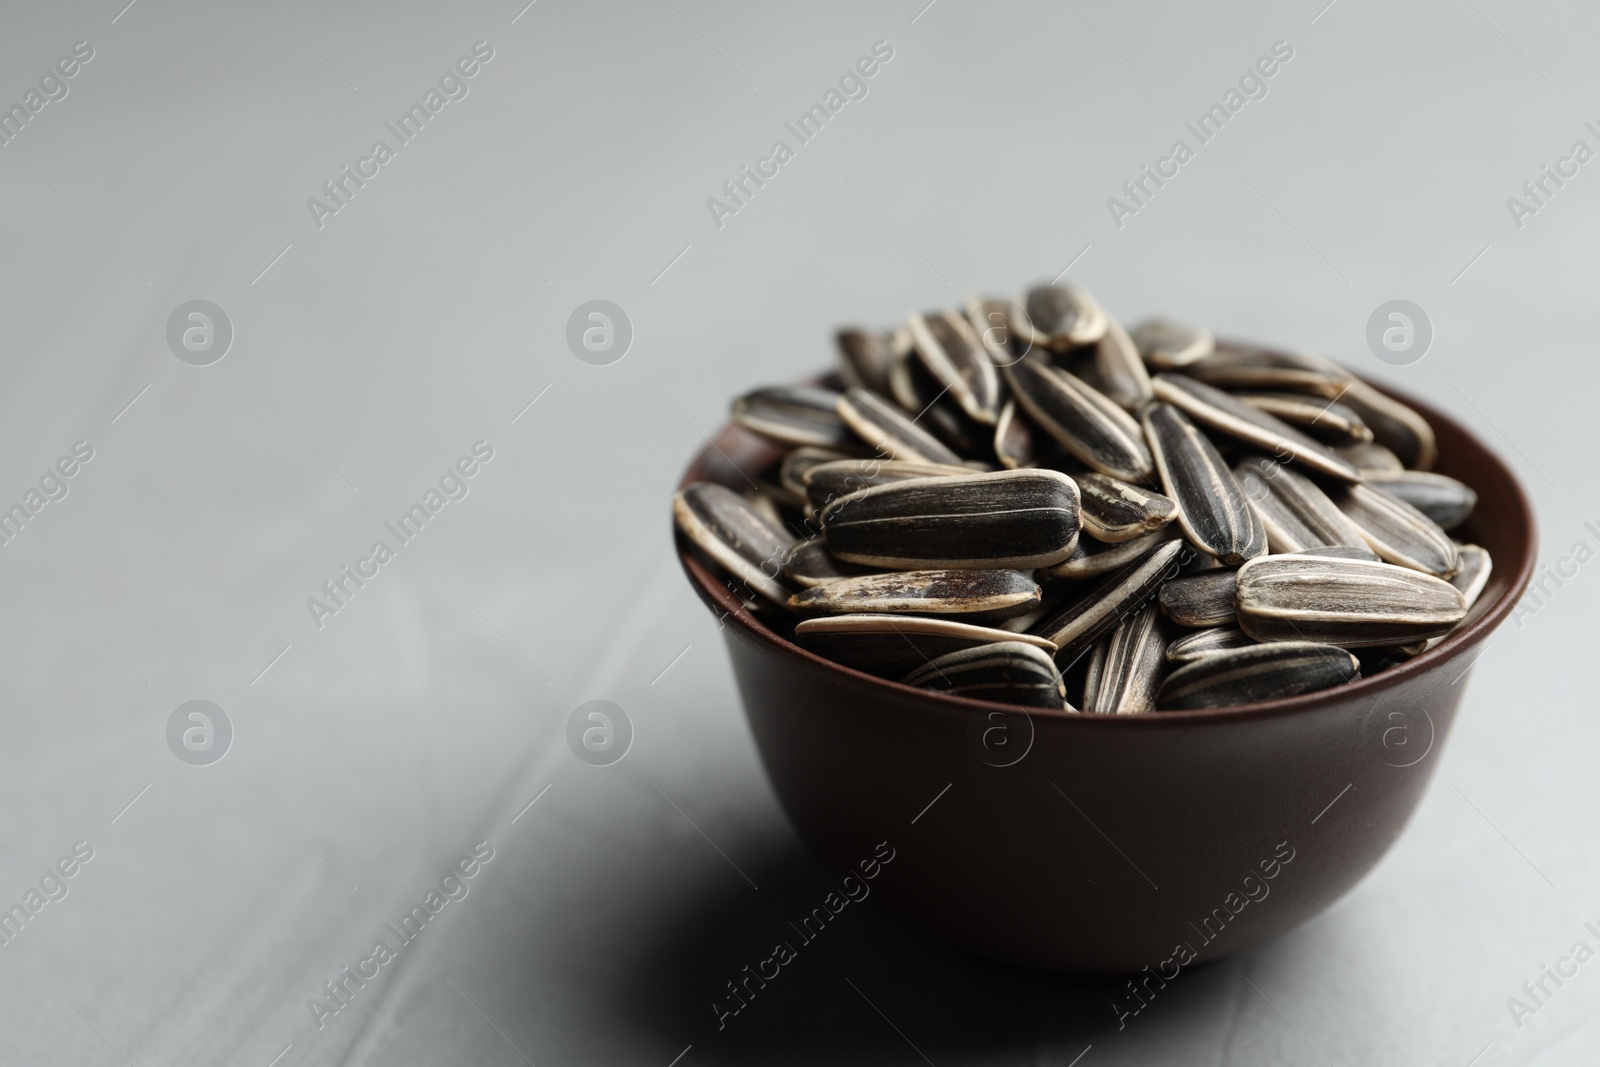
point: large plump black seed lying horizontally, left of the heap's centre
(1007, 519)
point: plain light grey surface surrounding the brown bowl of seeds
(428, 314)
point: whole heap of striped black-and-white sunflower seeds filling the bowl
(1023, 502)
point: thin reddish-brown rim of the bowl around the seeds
(1452, 647)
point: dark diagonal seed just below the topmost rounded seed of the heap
(1082, 420)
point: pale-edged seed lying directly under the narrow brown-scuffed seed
(894, 644)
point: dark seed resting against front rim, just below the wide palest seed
(1262, 673)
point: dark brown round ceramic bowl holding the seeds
(1111, 844)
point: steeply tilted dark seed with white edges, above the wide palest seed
(1212, 508)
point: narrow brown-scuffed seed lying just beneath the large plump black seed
(977, 596)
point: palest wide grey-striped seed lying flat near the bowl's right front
(1353, 604)
